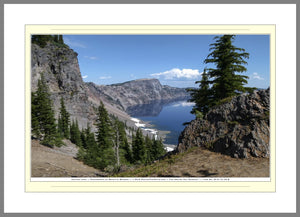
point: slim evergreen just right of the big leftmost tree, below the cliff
(64, 120)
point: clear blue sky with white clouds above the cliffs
(176, 60)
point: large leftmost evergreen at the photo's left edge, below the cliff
(43, 120)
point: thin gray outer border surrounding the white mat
(136, 2)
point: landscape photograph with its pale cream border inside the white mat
(150, 108)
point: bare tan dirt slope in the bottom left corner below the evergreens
(58, 162)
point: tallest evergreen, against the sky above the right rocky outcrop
(228, 60)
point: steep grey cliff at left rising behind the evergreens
(60, 68)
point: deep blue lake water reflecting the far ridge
(166, 117)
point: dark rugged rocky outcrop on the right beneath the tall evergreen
(239, 128)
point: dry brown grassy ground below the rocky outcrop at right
(199, 162)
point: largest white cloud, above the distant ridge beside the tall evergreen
(178, 73)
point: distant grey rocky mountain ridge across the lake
(138, 92)
